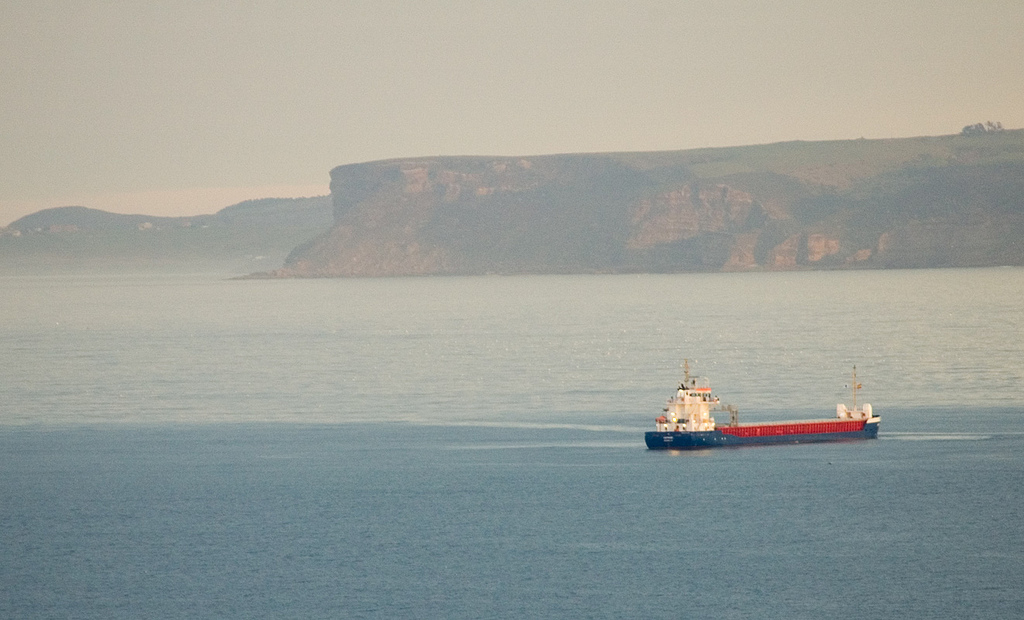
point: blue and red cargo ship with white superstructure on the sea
(688, 423)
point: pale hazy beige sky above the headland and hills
(183, 108)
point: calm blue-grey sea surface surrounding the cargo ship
(187, 446)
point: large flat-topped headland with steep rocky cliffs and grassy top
(951, 201)
